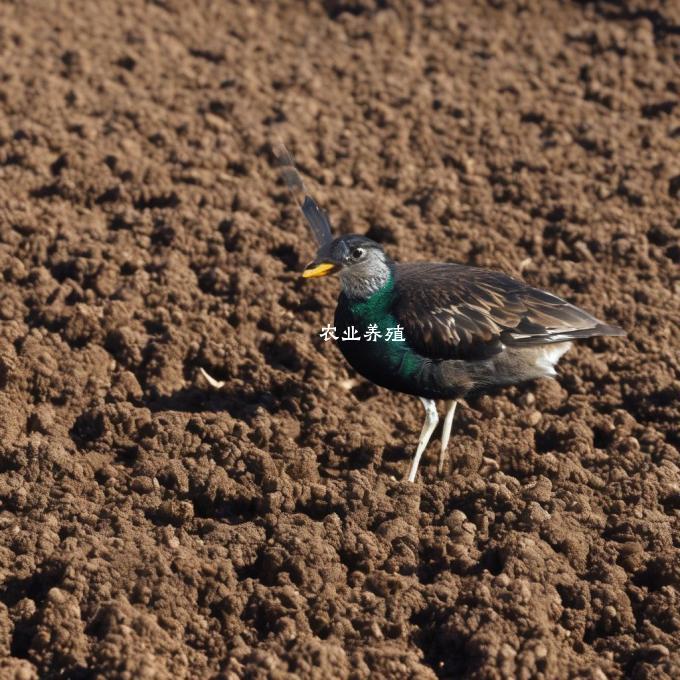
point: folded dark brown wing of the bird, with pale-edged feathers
(451, 311)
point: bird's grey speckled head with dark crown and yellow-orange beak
(363, 265)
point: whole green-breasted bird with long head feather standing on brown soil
(463, 330)
